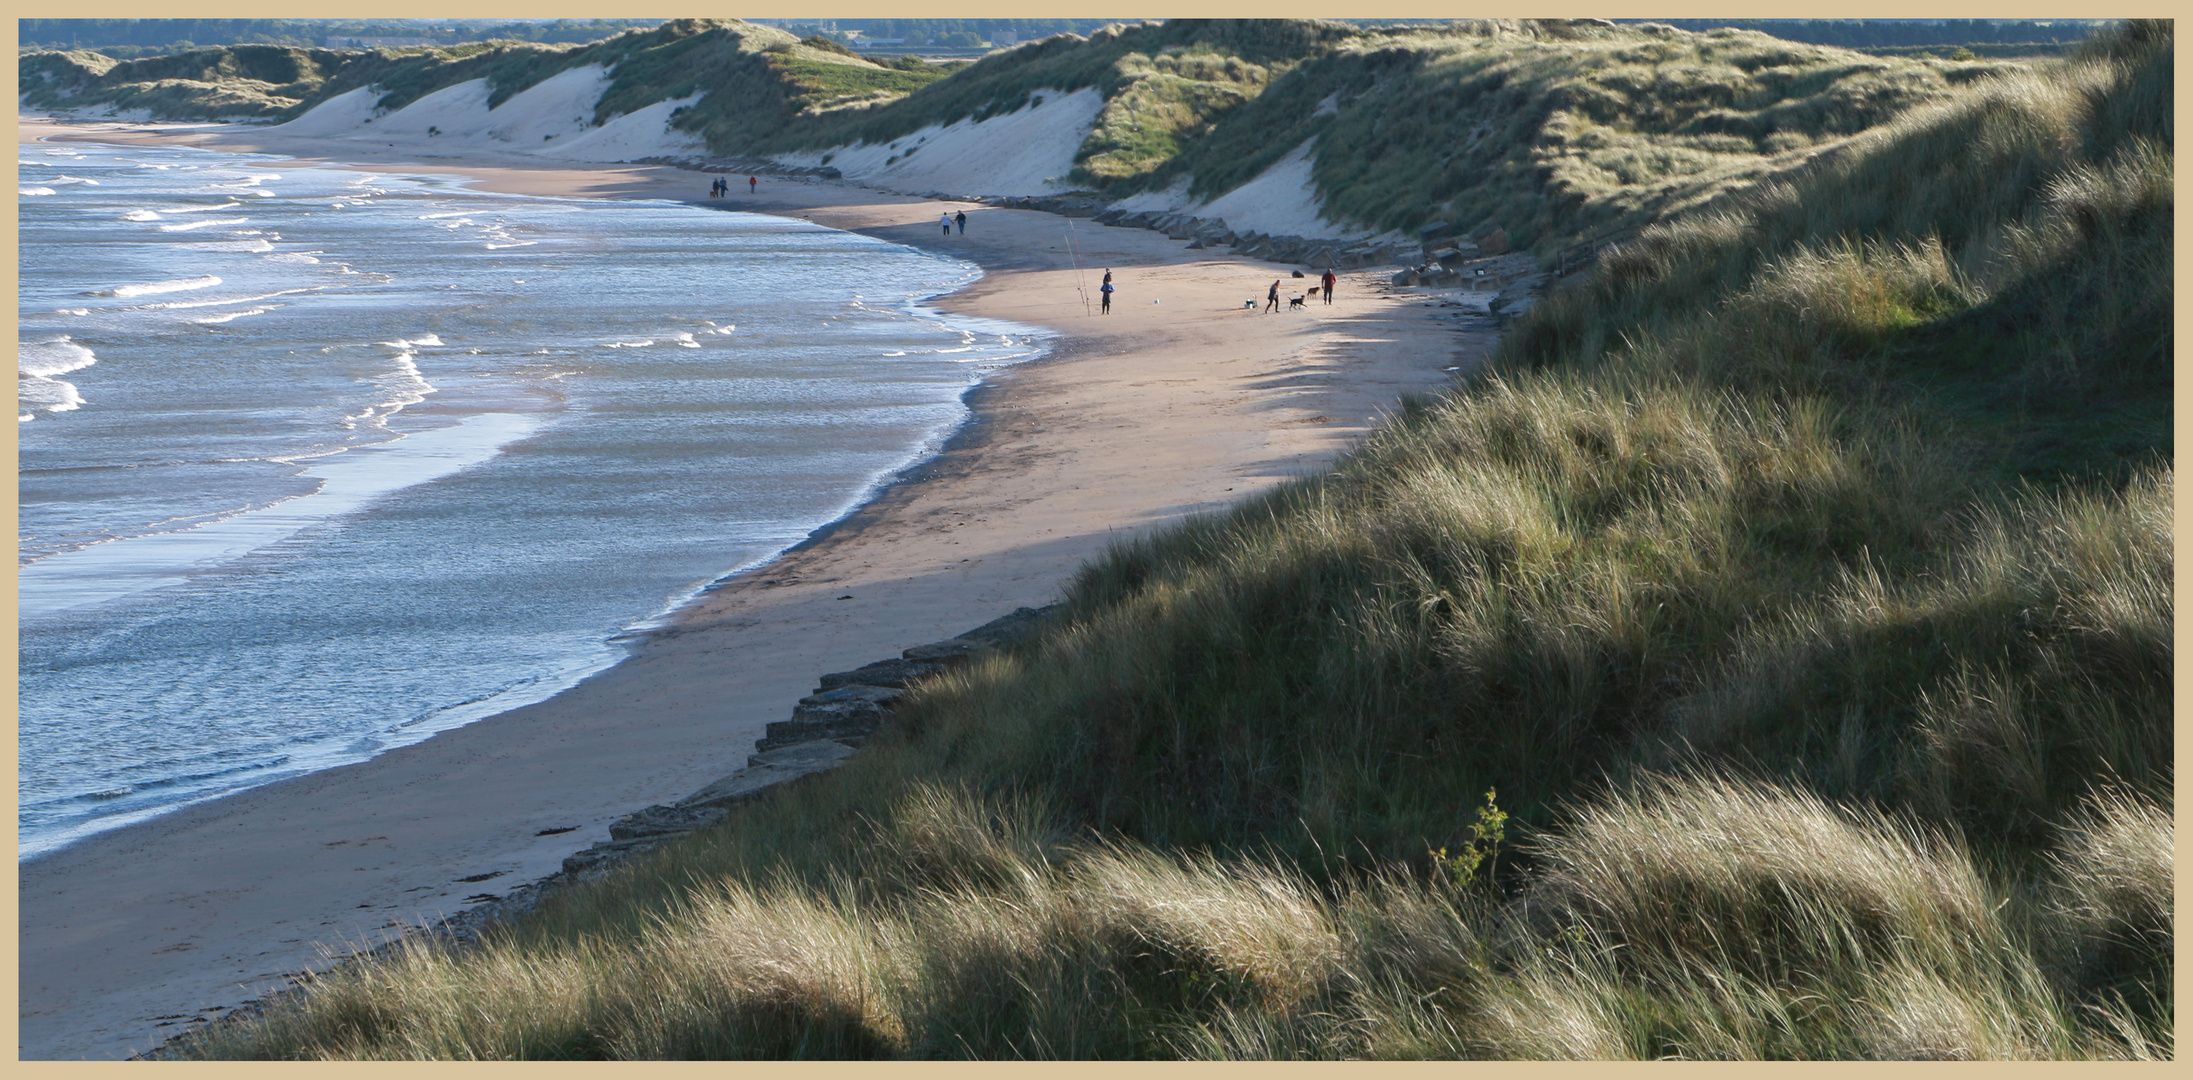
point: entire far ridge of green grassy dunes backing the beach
(1554, 131)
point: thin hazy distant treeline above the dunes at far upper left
(141, 38)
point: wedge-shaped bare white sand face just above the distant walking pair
(1023, 153)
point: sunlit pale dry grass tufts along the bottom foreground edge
(1698, 919)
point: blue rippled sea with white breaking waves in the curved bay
(317, 462)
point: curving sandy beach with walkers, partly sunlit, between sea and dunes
(1174, 405)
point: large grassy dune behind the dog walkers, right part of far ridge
(1552, 128)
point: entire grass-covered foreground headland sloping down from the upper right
(1771, 657)
